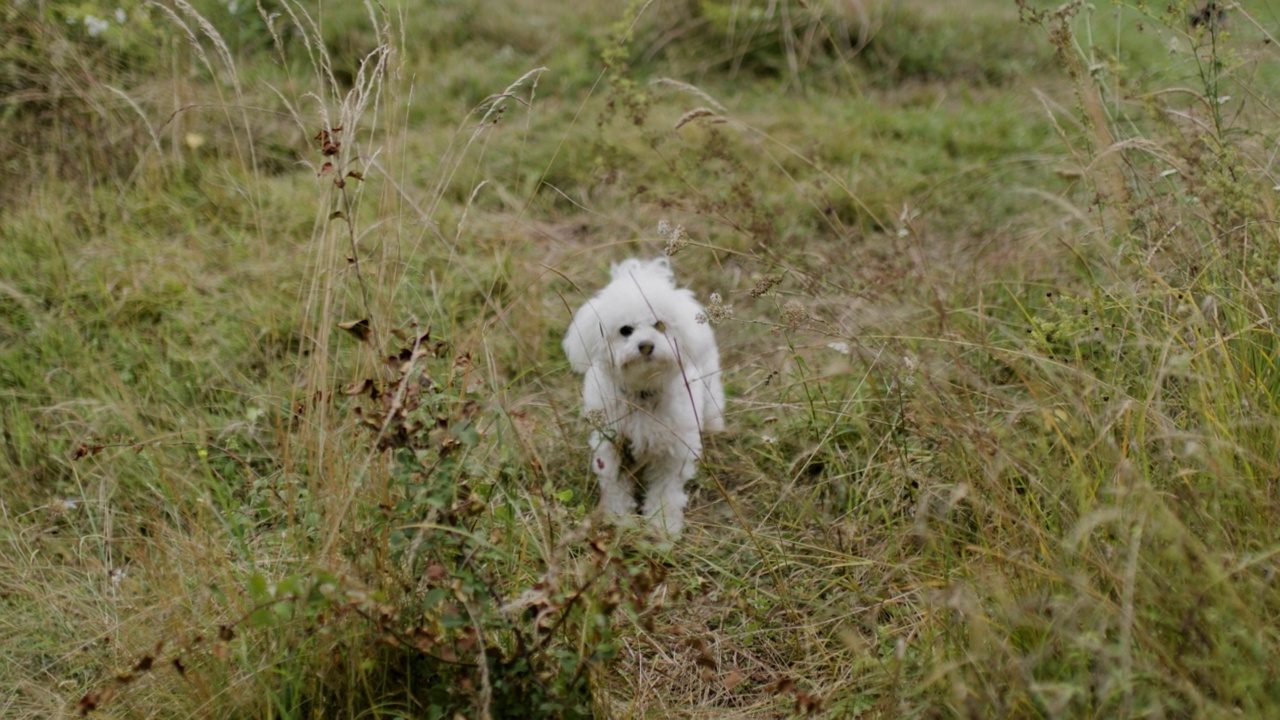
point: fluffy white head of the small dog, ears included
(636, 329)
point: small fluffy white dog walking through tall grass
(653, 384)
